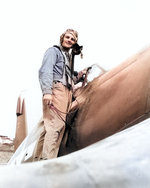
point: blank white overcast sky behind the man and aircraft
(109, 30)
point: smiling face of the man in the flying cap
(68, 40)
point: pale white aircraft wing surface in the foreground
(121, 160)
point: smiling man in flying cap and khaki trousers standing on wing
(55, 81)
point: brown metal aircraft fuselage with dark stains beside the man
(110, 102)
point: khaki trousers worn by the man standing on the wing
(53, 125)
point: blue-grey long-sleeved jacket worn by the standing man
(52, 69)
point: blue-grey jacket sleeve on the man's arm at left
(46, 71)
